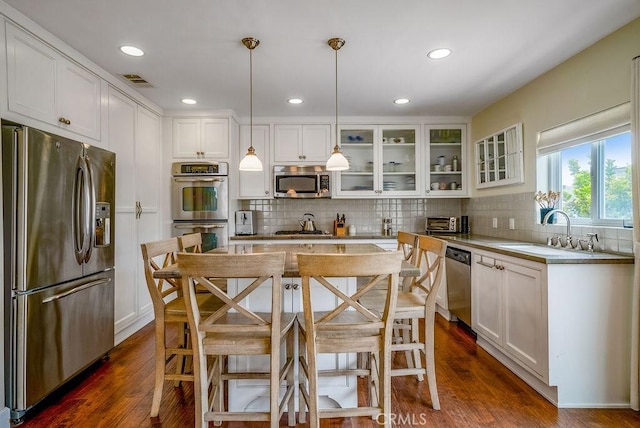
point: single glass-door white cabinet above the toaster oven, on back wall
(445, 160)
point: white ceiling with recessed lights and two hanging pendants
(193, 49)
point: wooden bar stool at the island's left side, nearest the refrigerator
(169, 308)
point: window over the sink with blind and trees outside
(593, 171)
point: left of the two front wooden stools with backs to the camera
(235, 329)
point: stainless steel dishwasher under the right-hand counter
(458, 263)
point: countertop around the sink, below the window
(535, 251)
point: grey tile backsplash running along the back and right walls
(410, 215)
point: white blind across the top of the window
(589, 128)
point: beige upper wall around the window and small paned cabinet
(593, 80)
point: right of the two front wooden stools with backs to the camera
(349, 328)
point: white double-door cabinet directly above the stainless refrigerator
(46, 86)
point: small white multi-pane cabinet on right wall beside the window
(499, 158)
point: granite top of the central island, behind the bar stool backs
(291, 260)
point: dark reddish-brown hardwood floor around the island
(475, 391)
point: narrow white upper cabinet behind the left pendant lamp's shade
(255, 184)
